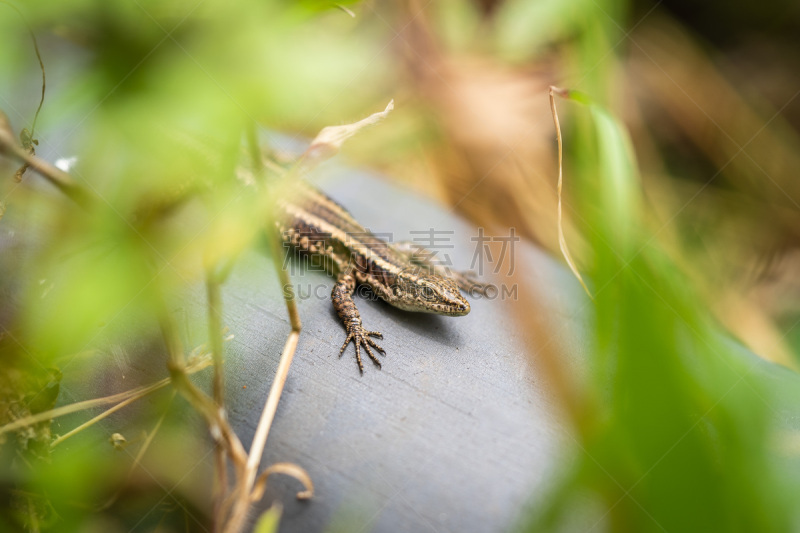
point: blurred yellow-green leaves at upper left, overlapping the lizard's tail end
(170, 80)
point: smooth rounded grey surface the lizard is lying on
(455, 433)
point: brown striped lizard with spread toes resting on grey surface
(310, 222)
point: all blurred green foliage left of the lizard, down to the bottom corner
(156, 103)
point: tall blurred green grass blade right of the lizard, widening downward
(678, 429)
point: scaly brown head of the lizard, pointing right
(420, 291)
